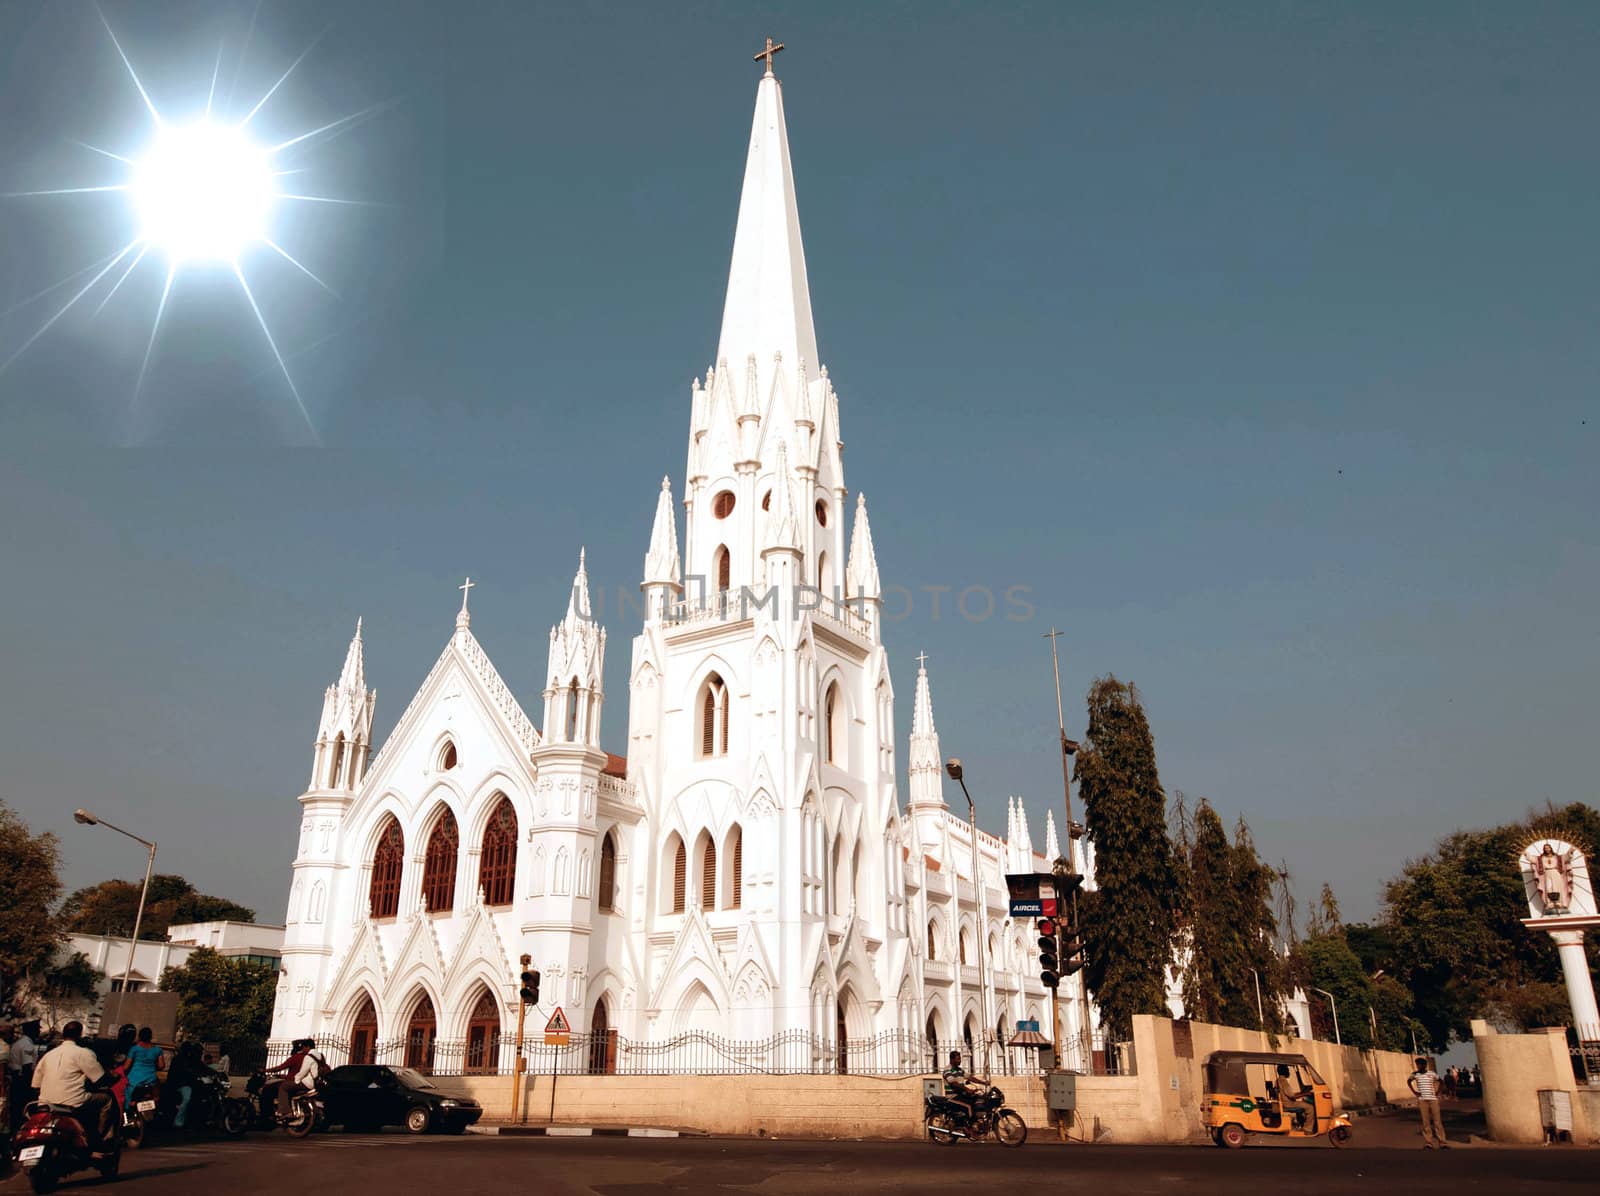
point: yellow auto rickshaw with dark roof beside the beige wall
(1263, 1093)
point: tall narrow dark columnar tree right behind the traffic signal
(1129, 920)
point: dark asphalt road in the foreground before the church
(508, 1166)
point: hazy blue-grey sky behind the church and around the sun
(1255, 341)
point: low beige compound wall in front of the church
(1159, 1104)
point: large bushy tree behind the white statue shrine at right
(1457, 941)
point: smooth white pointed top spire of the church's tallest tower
(769, 308)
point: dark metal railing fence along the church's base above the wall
(895, 1053)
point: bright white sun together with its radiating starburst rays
(206, 194)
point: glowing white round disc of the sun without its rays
(204, 193)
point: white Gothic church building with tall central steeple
(750, 885)
